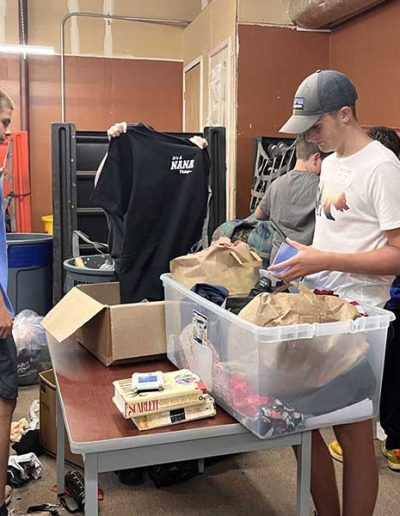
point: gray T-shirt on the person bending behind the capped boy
(289, 203)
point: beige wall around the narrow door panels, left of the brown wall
(215, 25)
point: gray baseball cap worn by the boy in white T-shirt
(321, 92)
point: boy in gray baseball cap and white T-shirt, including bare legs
(355, 252)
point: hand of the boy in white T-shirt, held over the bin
(307, 261)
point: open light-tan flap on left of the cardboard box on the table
(74, 310)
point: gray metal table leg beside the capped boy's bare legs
(304, 475)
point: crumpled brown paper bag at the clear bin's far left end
(233, 266)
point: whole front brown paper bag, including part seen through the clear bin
(300, 365)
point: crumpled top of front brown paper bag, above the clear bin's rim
(281, 309)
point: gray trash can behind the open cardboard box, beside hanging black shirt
(87, 269)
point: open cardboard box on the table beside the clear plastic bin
(111, 331)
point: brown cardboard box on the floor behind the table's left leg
(48, 432)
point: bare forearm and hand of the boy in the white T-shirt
(383, 261)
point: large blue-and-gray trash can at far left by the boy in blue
(30, 271)
